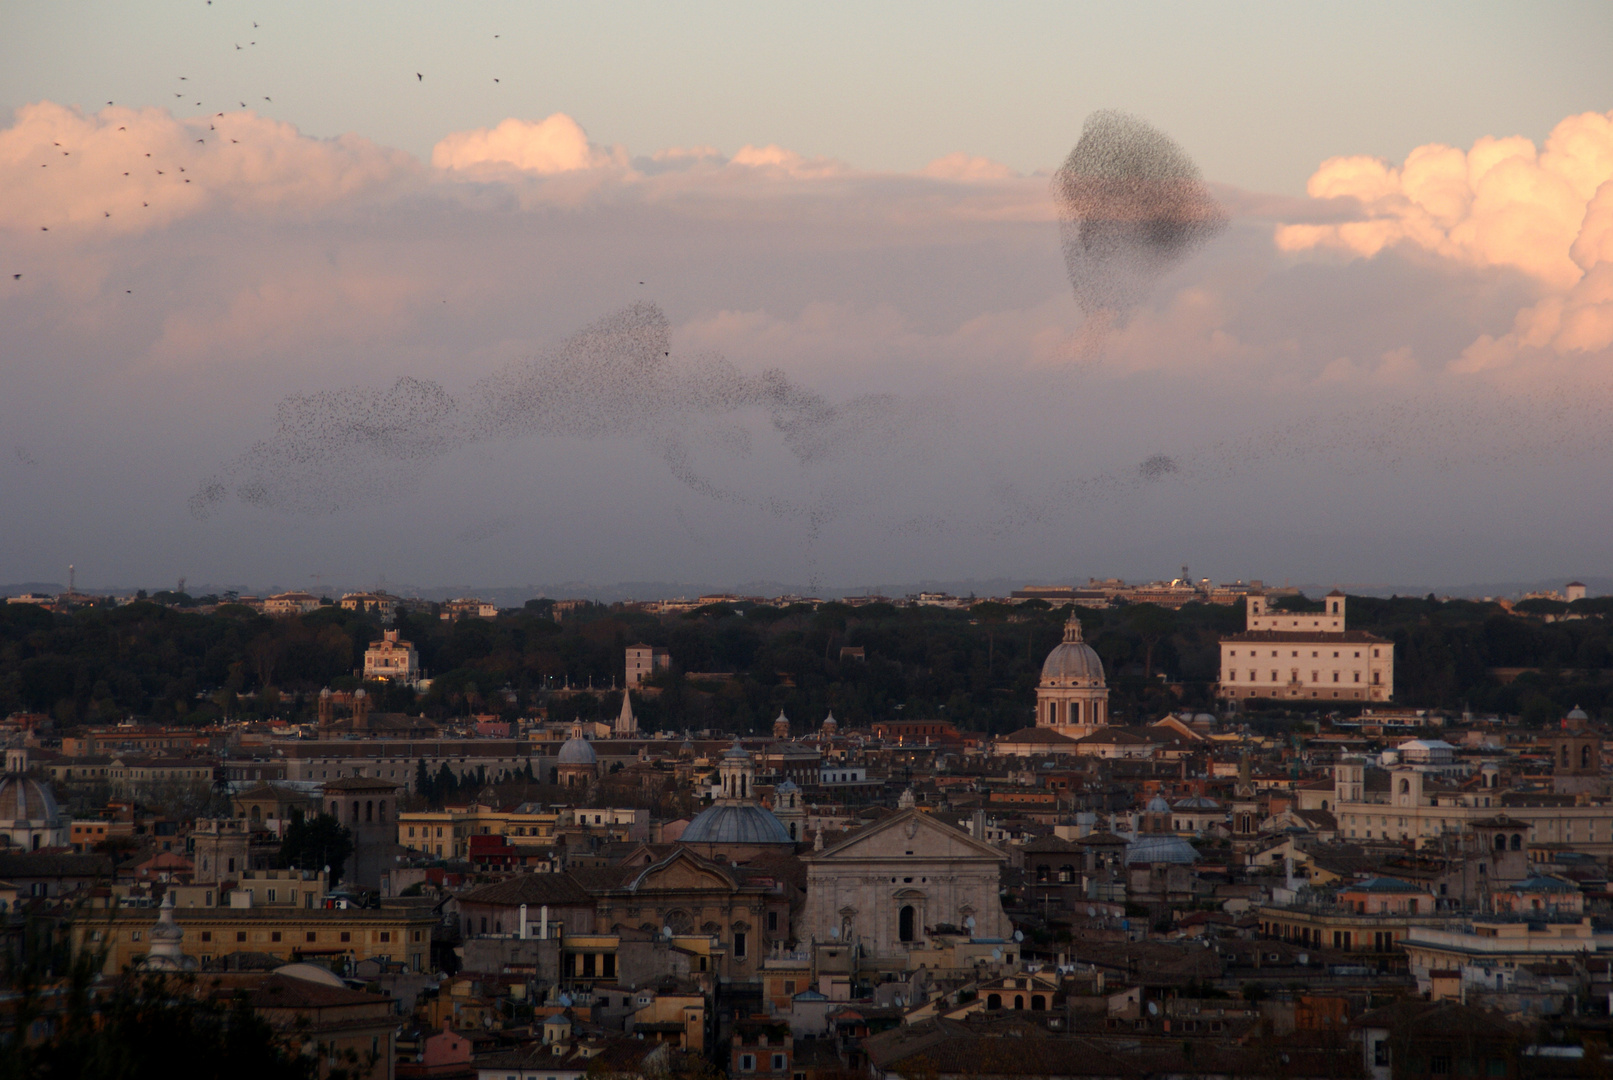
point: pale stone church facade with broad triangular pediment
(891, 886)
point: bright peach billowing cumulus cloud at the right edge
(1504, 204)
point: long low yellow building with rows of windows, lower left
(291, 934)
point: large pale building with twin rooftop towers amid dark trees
(1306, 655)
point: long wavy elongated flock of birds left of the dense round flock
(615, 380)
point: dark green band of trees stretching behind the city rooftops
(975, 668)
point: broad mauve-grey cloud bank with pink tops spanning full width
(686, 362)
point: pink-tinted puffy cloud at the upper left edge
(123, 170)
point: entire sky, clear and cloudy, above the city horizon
(725, 294)
